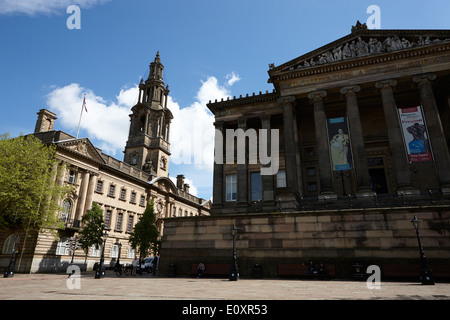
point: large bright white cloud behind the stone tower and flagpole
(107, 123)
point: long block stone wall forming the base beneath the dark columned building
(340, 237)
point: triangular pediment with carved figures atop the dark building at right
(362, 43)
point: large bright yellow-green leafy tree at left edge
(29, 194)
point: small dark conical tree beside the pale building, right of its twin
(144, 236)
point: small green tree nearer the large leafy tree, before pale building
(93, 227)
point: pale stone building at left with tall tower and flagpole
(122, 188)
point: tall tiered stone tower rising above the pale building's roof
(148, 146)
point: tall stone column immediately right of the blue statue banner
(357, 142)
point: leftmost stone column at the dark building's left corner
(218, 180)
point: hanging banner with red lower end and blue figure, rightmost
(415, 134)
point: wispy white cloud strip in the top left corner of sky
(33, 7)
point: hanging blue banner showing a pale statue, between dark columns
(341, 158)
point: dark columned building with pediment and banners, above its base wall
(361, 117)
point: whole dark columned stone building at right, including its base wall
(345, 98)
